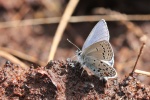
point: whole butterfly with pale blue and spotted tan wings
(97, 54)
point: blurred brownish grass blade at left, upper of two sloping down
(23, 56)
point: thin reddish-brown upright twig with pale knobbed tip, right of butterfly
(143, 39)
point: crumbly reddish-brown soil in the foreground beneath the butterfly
(60, 81)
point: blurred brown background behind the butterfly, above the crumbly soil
(29, 27)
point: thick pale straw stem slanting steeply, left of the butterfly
(61, 27)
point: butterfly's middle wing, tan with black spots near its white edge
(102, 51)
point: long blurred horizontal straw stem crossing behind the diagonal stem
(73, 19)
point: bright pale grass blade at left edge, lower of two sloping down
(13, 59)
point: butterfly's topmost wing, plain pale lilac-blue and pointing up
(99, 33)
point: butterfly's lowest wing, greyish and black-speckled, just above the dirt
(100, 68)
